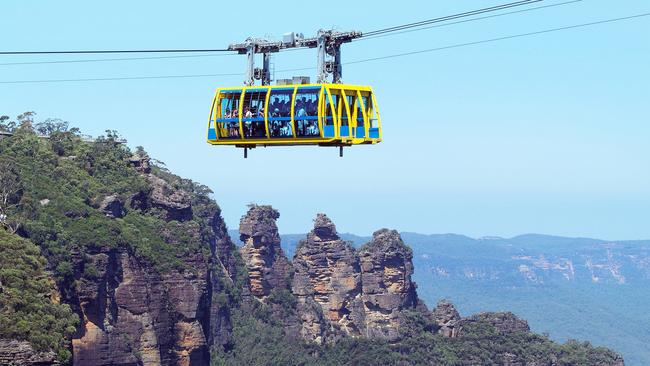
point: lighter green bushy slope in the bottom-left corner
(26, 309)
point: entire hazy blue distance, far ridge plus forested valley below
(555, 282)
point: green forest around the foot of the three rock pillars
(260, 340)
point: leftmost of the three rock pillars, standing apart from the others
(268, 267)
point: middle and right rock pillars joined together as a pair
(344, 292)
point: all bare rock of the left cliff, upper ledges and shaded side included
(134, 314)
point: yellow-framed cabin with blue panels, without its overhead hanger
(304, 114)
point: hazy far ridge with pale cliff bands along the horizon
(538, 257)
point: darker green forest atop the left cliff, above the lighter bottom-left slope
(64, 179)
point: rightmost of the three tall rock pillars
(387, 288)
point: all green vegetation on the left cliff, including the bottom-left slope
(52, 183)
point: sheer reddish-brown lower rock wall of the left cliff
(132, 314)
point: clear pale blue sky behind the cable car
(546, 134)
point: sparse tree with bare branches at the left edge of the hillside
(10, 188)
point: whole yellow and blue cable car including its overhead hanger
(295, 112)
